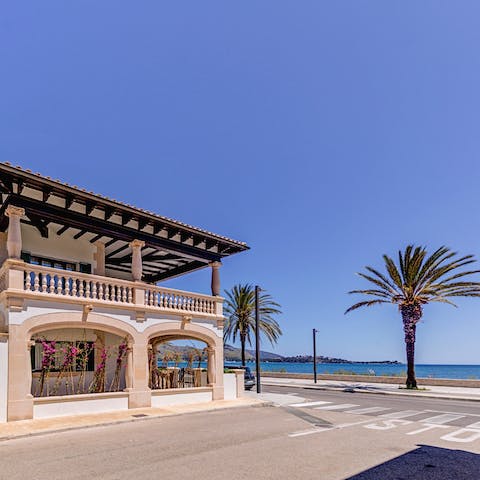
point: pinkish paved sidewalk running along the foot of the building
(25, 428)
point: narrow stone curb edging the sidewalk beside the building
(257, 404)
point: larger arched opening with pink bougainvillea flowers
(75, 361)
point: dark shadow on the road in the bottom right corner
(426, 463)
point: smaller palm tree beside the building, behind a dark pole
(240, 312)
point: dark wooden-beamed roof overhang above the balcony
(171, 248)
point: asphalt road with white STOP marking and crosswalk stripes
(314, 435)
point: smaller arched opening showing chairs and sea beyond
(178, 361)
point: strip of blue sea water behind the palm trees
(421, 370)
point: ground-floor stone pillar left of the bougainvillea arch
(20, 399)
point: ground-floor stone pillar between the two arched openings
(140, 394)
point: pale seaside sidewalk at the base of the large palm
(452, 393)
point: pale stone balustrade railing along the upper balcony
(55, 283)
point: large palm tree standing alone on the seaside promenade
(416, 281)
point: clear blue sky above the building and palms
(323, 133)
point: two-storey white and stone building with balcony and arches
(82, 314)
